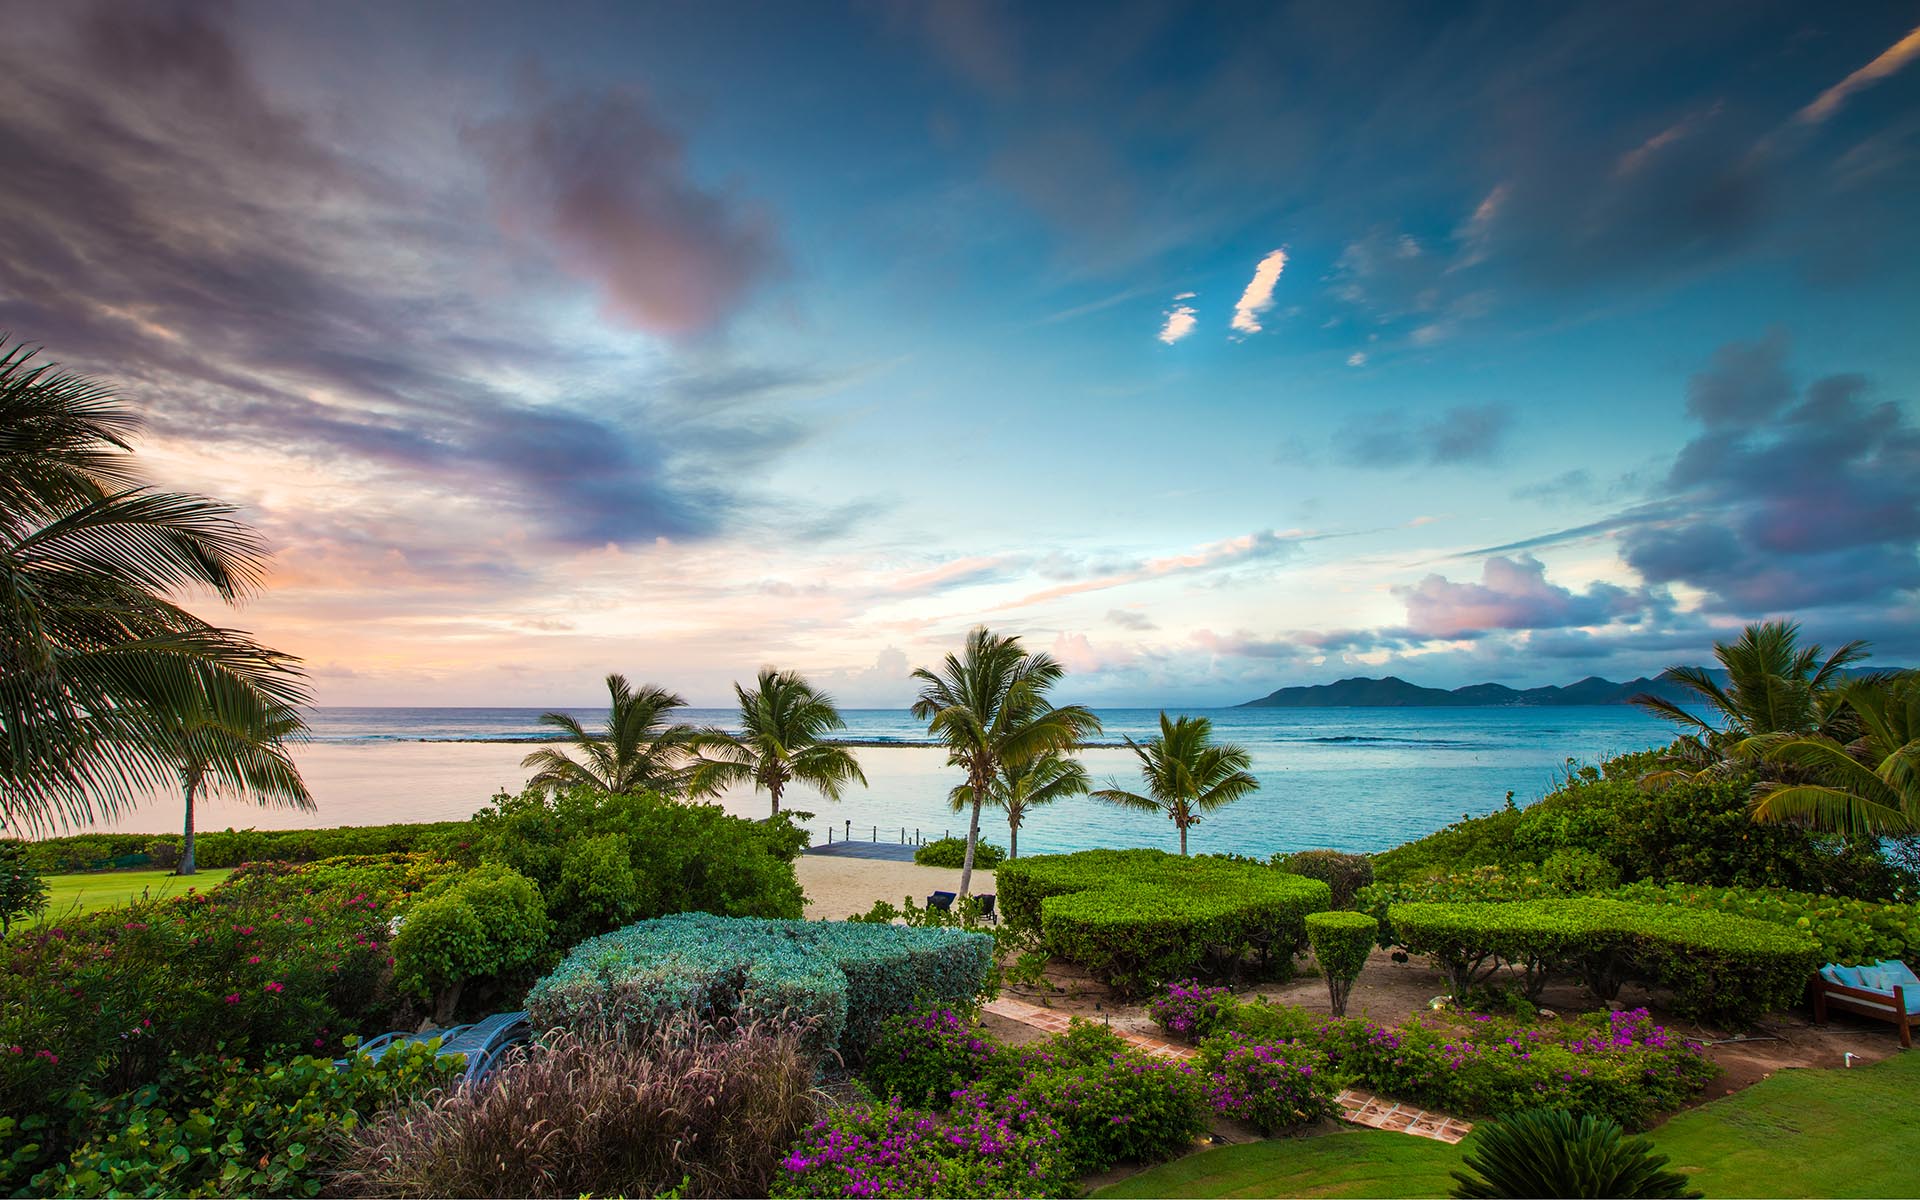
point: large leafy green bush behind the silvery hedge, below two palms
(681, 857)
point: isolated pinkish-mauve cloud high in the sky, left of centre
(606, 185)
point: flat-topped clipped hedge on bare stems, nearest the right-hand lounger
(1719, 967)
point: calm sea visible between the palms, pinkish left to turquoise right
(1347, 779)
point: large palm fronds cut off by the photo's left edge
(101, 671)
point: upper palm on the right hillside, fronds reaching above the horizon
(1775, 686)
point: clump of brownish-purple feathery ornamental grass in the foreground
(700, 1113)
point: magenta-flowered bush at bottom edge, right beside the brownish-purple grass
(982, 1147)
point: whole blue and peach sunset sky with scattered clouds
(1211, 348)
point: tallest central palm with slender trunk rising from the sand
(990, 709)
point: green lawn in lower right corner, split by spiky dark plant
(1800, 1134)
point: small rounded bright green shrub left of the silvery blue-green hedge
(485, 924)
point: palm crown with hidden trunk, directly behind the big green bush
(640, 750)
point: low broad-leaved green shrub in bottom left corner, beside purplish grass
(226, 1128)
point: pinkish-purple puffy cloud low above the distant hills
(1514, 594)
